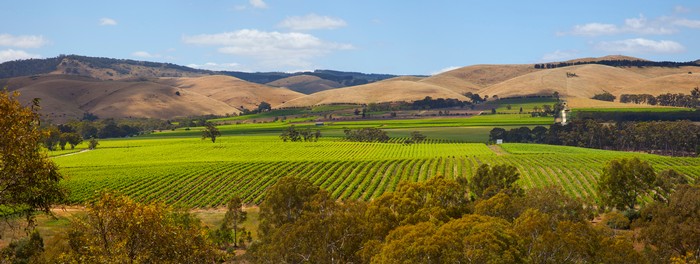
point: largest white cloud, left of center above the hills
(271, 49)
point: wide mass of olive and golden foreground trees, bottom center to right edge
(487, 219)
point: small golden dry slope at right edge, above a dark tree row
(676, 83)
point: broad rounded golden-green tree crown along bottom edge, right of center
(470, 239)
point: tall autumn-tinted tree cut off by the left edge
(29, 180)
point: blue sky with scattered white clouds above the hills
(392, 37)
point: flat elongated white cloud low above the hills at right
(640, 45)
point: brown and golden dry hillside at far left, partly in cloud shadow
(64, 97)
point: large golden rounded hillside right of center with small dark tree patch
(590, 79)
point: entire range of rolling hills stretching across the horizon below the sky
(72, 85)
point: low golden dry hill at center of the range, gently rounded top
(384, 91)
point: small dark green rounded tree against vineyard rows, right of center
(490, 180)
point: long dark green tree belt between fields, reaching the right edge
(676, 138)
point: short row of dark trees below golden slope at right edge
(691, 100)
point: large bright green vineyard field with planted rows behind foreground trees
(197, 173)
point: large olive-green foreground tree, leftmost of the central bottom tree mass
(300, 223)
